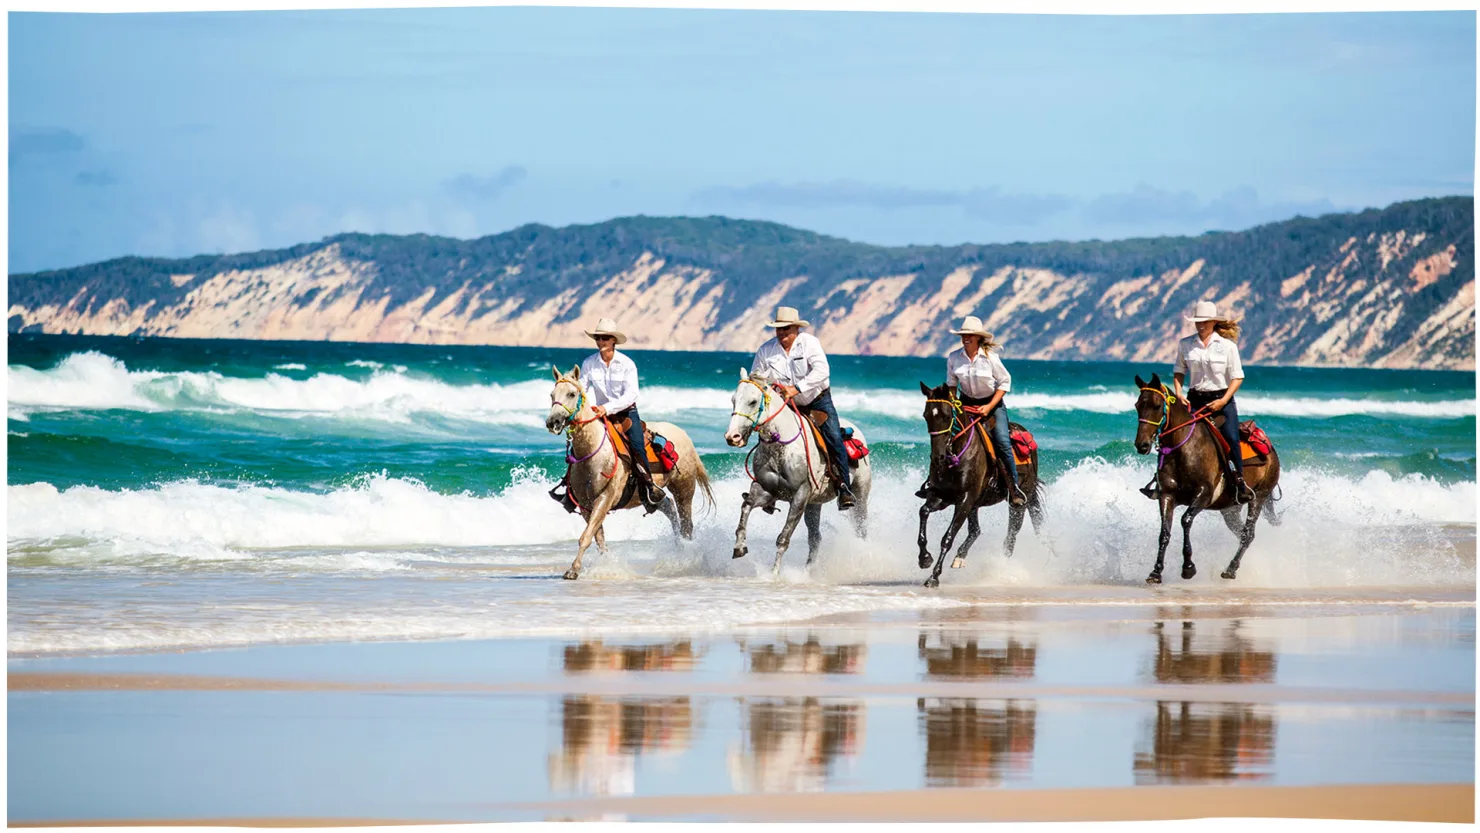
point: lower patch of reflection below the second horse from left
(793, 745)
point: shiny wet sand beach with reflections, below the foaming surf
(1362, 709)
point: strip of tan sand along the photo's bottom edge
(1376, 803)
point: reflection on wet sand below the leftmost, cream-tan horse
(602, 738)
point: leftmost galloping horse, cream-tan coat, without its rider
(599, 474)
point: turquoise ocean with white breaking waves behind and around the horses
(168, 493)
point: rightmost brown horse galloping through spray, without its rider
(1191, 473)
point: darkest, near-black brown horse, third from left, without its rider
(964, 476)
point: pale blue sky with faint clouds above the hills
(174, 135)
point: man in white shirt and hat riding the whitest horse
(797, 365)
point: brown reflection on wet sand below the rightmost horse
(1207, 742)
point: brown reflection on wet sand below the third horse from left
(972, 742)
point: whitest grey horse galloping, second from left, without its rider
(790, 465)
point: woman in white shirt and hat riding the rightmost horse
(1210, 362)
